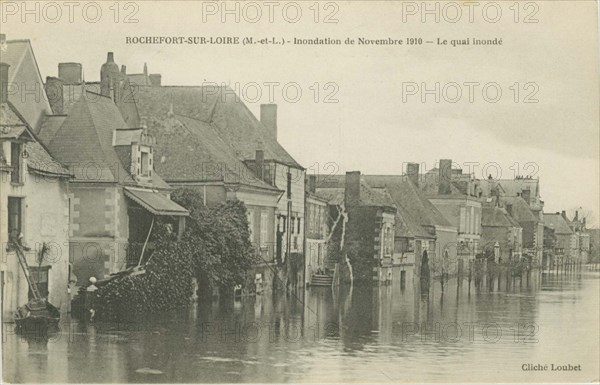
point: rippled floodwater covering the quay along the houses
(486, 332)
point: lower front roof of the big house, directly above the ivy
(190, 150)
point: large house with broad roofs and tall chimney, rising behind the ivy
(208, 139)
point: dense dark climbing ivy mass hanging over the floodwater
(215, 248)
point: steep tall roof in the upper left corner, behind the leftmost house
(25, 73)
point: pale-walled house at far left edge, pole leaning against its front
(34, 202)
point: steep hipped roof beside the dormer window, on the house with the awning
(84, 140)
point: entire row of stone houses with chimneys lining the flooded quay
(88, 166)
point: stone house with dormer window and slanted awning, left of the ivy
(115, 194)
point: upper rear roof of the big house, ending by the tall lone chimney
(221, 108)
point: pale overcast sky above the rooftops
(371, 128)
